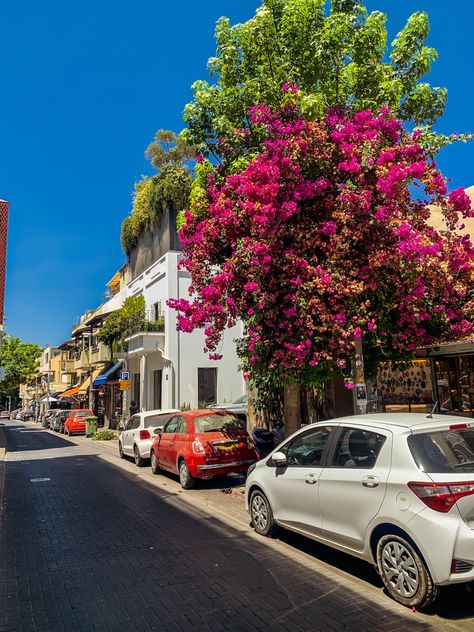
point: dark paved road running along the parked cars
(86, 545)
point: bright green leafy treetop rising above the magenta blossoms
(336, 57)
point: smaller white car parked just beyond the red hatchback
(139, 433)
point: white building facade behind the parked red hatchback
(168, 368)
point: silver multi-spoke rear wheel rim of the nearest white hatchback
(400, 569)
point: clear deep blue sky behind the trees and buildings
(85, 86)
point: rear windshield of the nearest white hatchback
(445, 451)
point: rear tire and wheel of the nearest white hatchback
(404, 573)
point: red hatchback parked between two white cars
(202, 444)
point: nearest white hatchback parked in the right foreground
(393, 489)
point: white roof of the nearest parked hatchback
(415, 422)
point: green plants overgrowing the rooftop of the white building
(156, 194)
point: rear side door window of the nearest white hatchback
(358, 448)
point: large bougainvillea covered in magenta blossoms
(322, 239)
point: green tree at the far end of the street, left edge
(20, 360)
